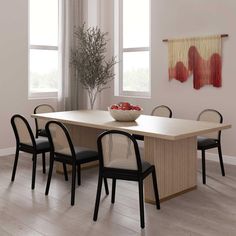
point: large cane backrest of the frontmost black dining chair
(118, 150)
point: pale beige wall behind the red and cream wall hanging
(171, 18)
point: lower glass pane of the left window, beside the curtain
(43, 70)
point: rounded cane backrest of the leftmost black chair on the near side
(23, 132)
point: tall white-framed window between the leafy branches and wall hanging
(132, 47)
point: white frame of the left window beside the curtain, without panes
(39, 95)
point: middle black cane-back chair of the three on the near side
(63, 150)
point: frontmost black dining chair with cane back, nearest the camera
(119, 158)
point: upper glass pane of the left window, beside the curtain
(44, 22)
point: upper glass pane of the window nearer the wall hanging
(135, 23)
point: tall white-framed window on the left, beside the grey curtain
(43, 48)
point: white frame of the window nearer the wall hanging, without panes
(119, 50)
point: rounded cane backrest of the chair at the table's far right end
(211, 115)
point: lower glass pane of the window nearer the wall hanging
(136, 71)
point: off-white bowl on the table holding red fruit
(125, 115)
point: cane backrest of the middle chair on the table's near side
(59, 139)
